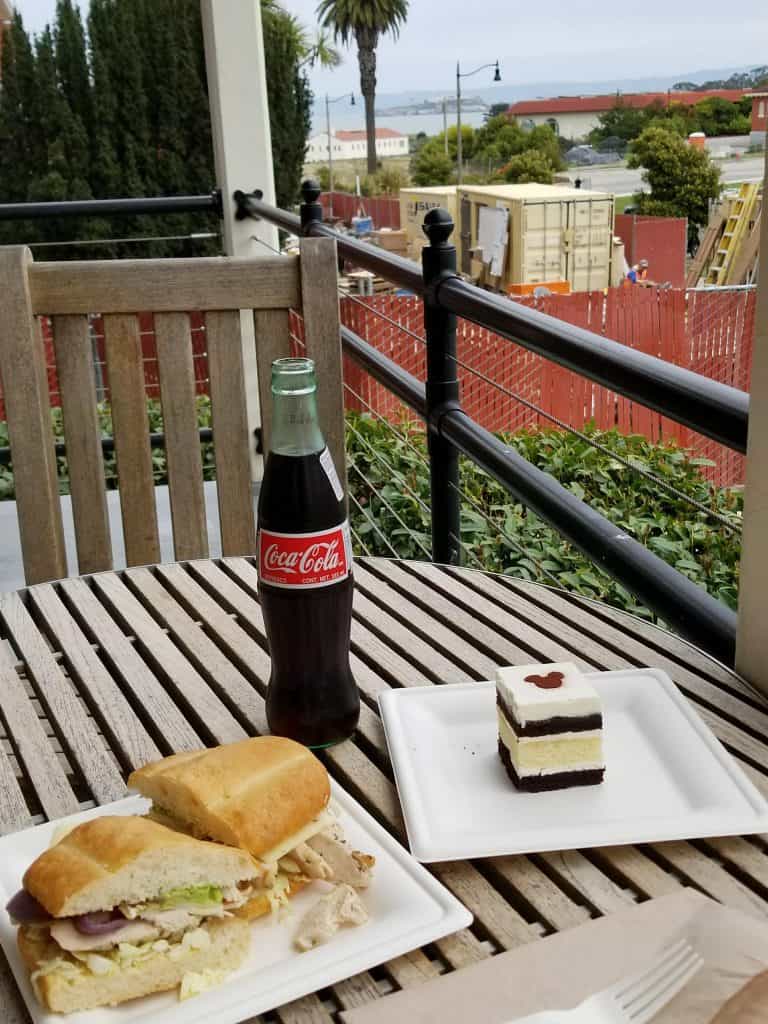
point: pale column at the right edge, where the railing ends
(752, 641)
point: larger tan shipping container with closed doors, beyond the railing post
(546, 234)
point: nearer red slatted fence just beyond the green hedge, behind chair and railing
(504, 387)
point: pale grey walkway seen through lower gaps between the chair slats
(12, 570)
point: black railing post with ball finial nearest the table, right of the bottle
(439, 263)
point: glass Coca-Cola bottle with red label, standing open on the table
(306, 571)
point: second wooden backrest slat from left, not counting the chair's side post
(131, 425)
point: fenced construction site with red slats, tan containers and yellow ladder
(567, 253)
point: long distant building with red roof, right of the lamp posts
(575, 117)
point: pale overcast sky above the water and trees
(538, 42)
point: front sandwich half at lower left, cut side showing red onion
(122, 907)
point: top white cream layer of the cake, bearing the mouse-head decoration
(576, 698)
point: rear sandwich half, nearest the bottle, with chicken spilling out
(269, 796)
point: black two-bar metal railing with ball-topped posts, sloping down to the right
(712, 409)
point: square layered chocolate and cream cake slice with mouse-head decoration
(550, 728)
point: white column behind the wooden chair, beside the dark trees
(243, 152)
